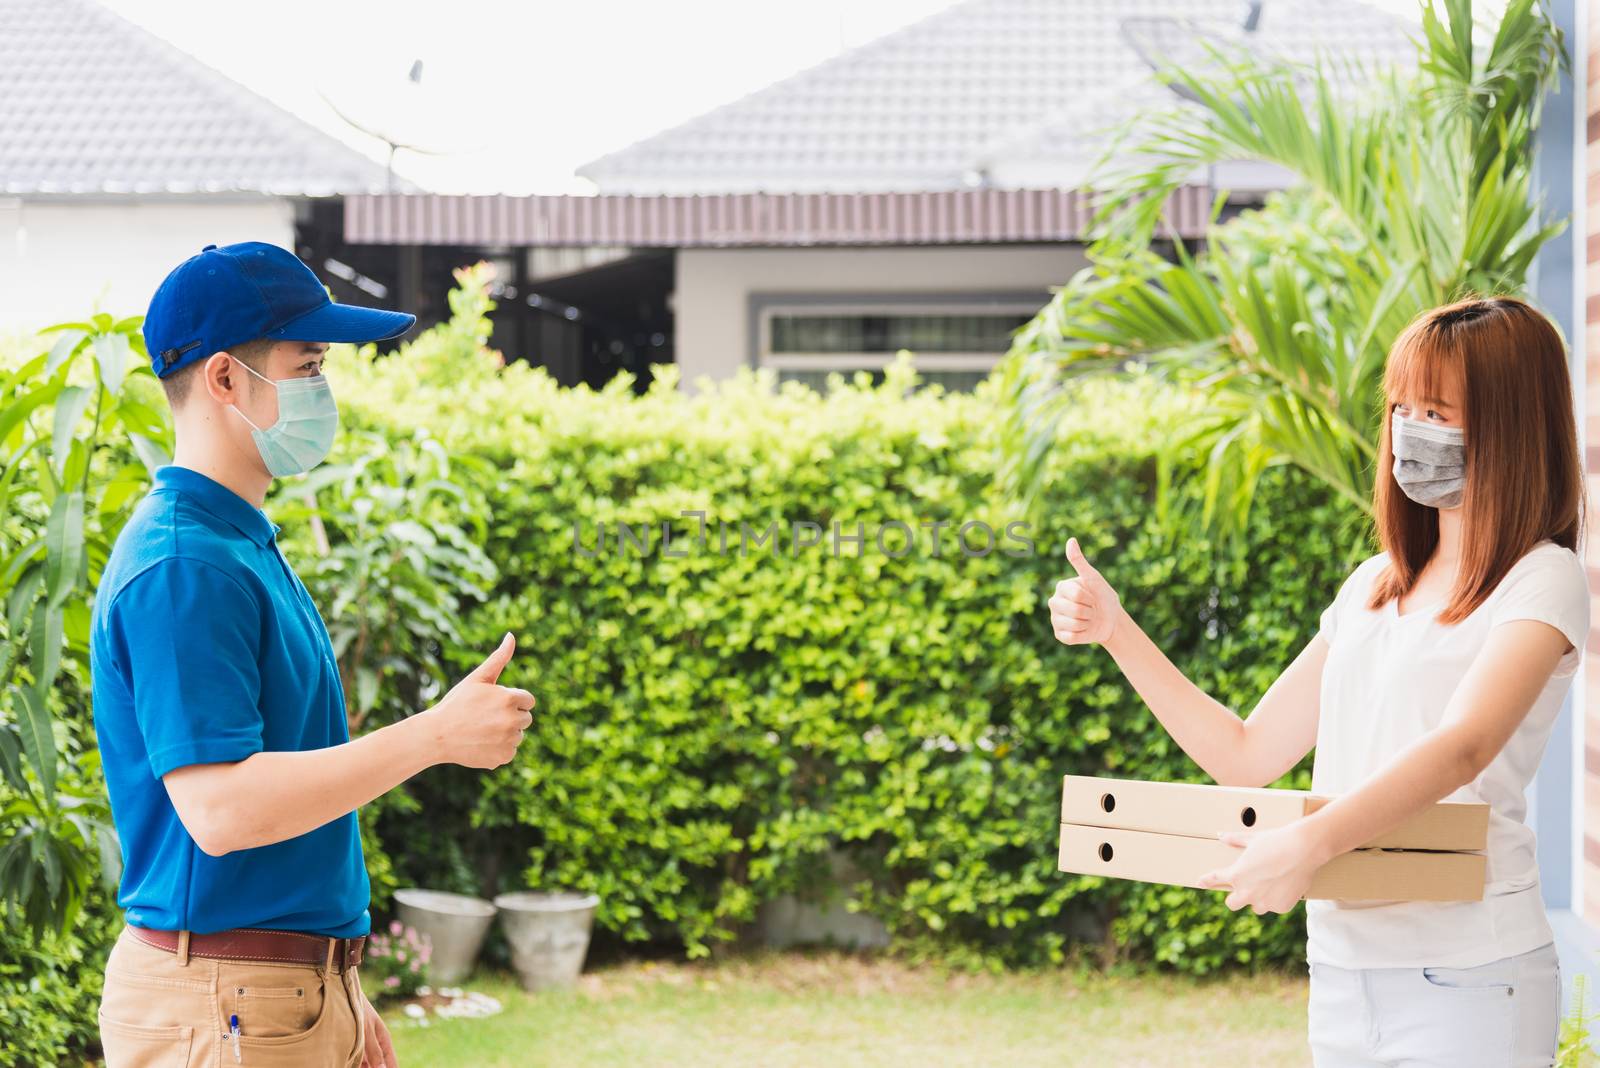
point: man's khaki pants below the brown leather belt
(162, 1011)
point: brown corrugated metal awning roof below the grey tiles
(964, 217)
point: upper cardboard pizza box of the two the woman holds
(1202, 811)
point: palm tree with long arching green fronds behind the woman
(1407, 197)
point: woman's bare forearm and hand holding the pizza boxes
(1484, 712)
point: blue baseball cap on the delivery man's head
(236, 293)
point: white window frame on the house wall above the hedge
(878, 361)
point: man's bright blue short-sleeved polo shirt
(207, 648)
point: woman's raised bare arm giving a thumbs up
(1236, 754)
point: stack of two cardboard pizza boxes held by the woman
(1167, 832)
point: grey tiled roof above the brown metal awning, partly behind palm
(978, 87)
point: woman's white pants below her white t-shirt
(1503, 1014)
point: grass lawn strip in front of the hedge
(839, 1013)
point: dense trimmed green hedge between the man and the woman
(713, 725)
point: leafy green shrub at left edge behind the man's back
(78, 437)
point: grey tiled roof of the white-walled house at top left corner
(94, 105)
